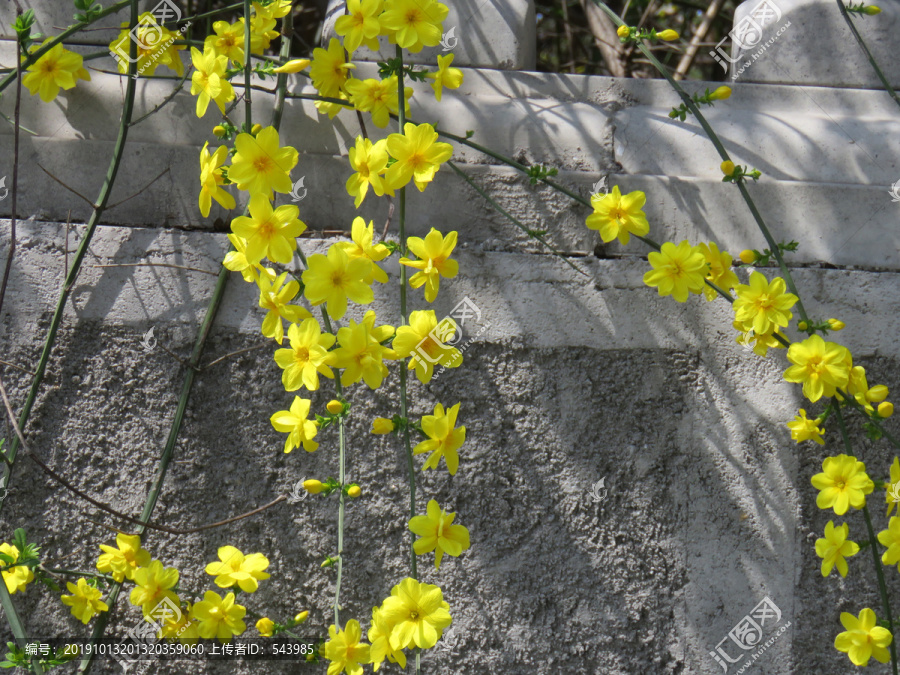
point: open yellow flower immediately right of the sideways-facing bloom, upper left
(261, 165)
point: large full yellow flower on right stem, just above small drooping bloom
(821, 366)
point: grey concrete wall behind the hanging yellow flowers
(575, 378)
